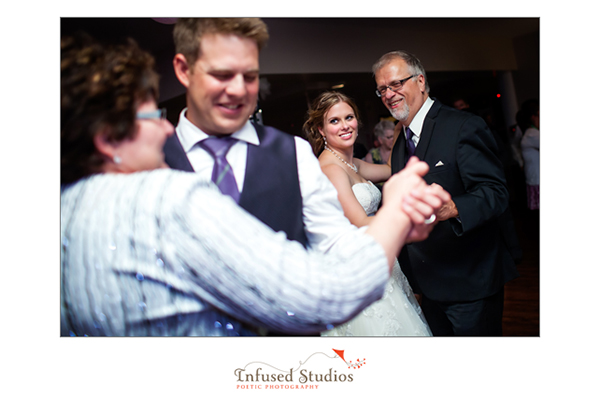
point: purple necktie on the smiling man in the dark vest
(222, 173)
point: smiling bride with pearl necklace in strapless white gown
(332, 128)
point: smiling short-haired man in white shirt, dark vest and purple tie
(276, 176)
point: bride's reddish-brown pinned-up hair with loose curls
(316, 116)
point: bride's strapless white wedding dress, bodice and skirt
(397, 313)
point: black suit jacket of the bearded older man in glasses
(468, 258)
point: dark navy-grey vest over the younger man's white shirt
(271, 188)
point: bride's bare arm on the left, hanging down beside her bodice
(352, 208)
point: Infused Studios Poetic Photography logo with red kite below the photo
(317, 370)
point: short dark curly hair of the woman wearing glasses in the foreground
(101, 88)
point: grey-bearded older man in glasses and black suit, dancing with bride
(461, 269)
